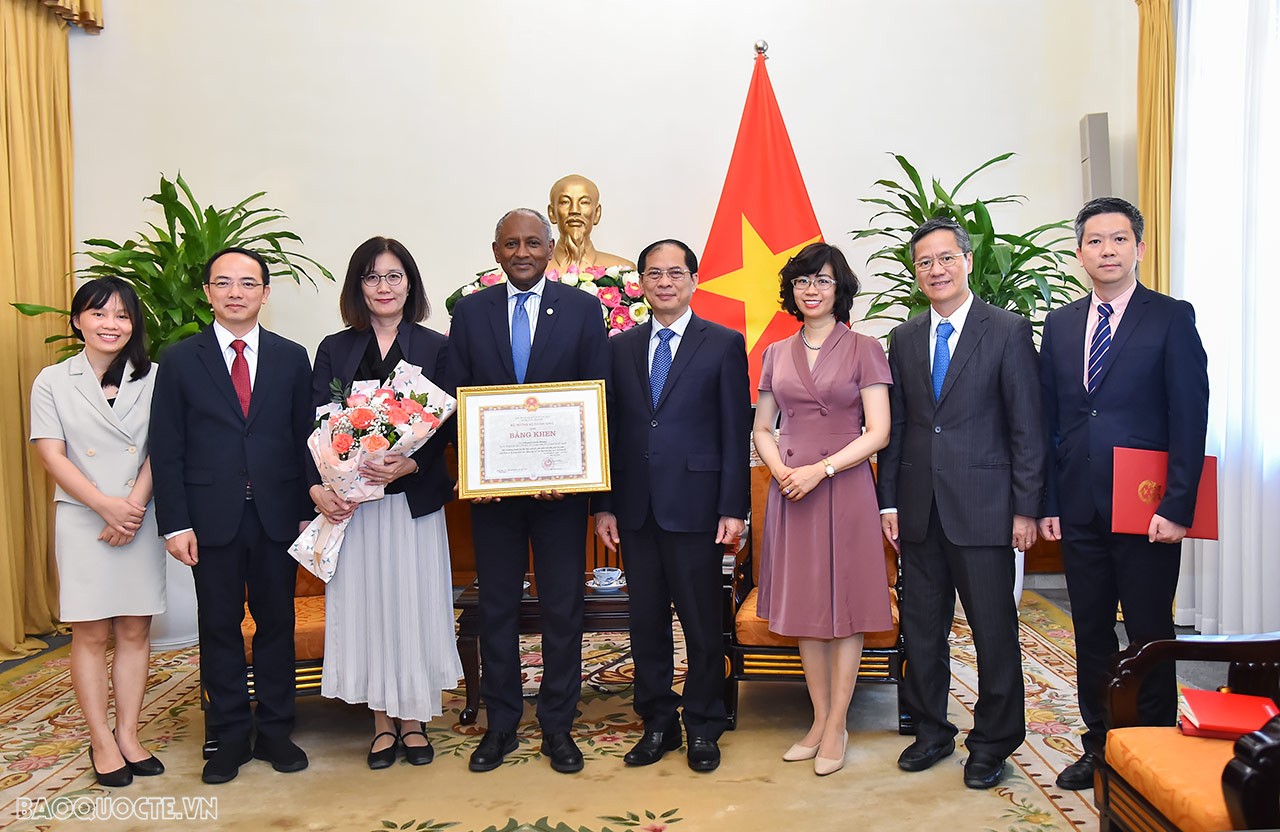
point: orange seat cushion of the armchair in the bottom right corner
(1181, 776)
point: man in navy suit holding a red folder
(1123, 367)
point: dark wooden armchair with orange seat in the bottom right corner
(1158, 779)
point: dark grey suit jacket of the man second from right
(980, 450)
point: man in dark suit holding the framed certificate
(529, 331)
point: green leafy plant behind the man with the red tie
(166, 264)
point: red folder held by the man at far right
(1140, 483)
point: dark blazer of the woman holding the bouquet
(339, 358)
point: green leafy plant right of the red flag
(1023, 273)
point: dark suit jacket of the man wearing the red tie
(205, 452)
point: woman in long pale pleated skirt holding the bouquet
(390, 607)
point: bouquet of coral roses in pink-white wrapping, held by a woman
(368, 423)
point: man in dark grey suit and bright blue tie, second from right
(964, 470)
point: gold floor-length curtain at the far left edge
(35, 266)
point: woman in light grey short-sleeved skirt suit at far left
(89, 424)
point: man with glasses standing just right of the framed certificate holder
(680, 432)
